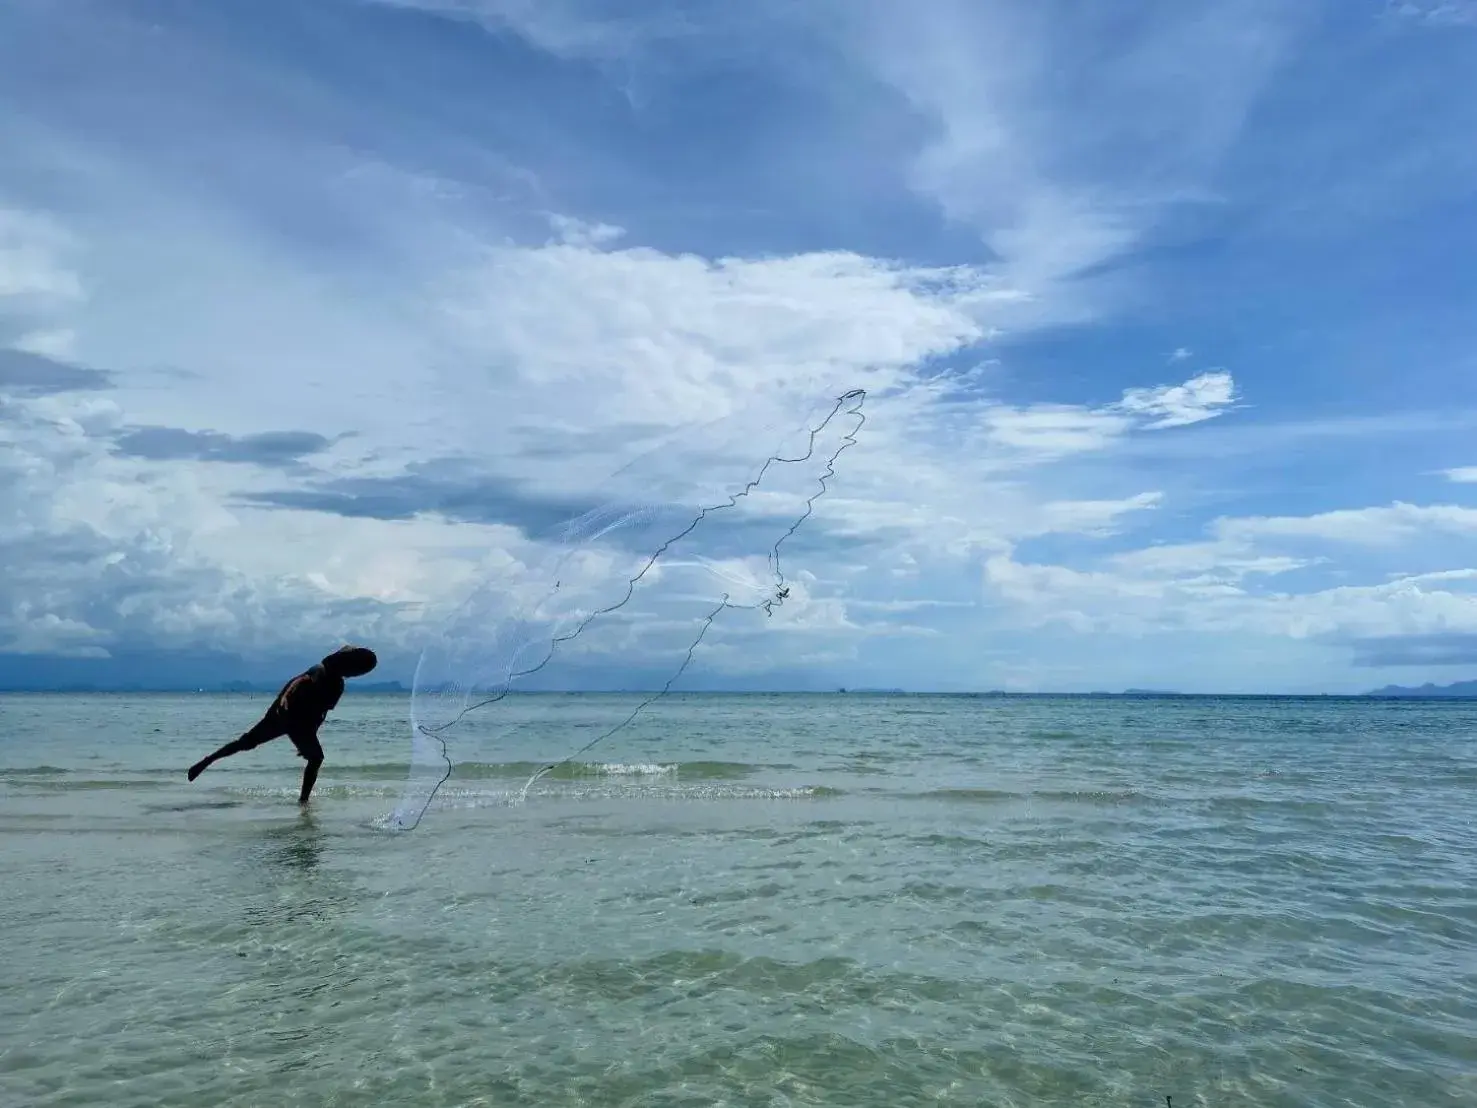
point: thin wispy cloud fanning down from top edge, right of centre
(1063, 177)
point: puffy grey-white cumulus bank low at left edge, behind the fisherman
(97, 562)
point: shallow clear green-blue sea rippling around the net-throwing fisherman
(745, 900)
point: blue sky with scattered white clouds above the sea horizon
(318, 317)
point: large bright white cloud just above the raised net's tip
(639, 335)
